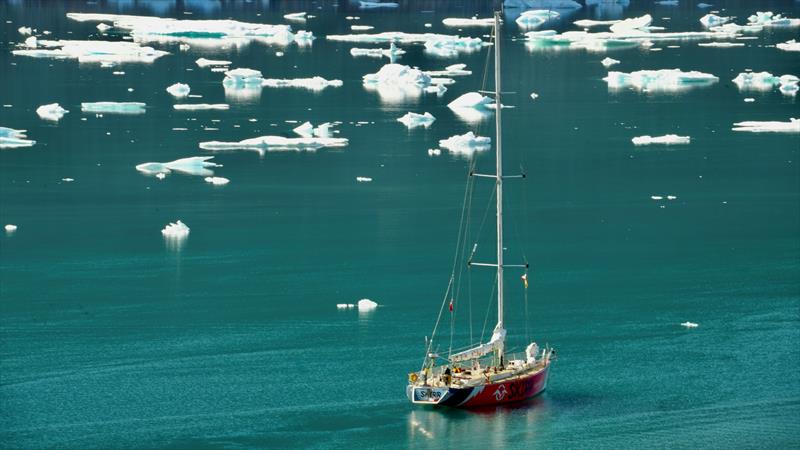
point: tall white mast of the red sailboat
(499, 146)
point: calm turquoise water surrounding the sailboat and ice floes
(109, 337)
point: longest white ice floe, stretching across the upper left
(211, 33)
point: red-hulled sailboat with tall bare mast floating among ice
(484, 375)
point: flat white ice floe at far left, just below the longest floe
(93, 51)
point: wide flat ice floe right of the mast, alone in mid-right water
(659, 80)
